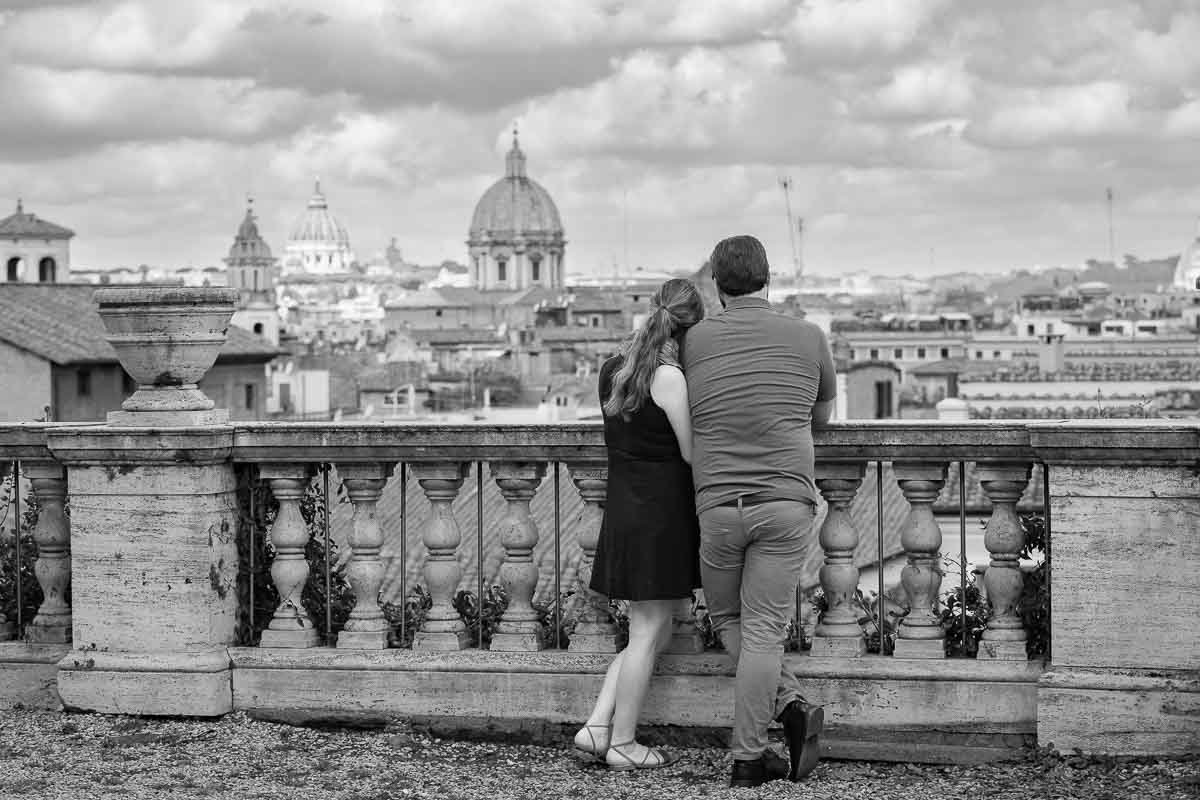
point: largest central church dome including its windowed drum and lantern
(517, 236)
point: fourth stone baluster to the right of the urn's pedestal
(519, 628)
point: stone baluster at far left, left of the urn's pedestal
(53, 567)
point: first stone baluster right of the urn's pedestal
(291, 627)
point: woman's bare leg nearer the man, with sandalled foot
(650, 631)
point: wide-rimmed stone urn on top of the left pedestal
(166, 338)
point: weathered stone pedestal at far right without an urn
(1125, 677)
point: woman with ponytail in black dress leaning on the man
(650, 543)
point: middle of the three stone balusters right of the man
(920, 635)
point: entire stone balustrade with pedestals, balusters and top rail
(155, 603)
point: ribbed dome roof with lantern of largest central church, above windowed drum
(515, 206)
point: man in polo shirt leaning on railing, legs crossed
(758, 382)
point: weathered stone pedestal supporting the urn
(154, 569)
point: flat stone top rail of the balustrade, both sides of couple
(1102, 442)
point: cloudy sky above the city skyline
(920, 135)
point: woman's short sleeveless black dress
(650, 542)
